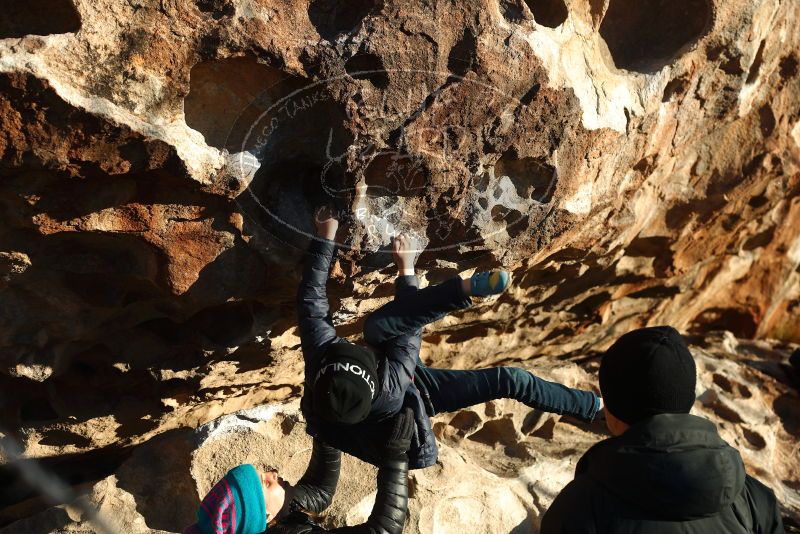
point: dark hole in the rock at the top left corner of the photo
(37, 17)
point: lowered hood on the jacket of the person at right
(673, 466)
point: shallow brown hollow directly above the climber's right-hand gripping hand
(395, 174)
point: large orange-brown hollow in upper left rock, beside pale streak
(228, 98)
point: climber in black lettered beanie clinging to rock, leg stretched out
(349, 387)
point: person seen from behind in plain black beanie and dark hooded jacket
(664, 471)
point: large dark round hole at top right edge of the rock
(645, 35)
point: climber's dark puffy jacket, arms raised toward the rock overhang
(396, 388)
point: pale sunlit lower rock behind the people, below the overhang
(500, 464)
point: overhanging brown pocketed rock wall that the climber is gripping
(632, 163)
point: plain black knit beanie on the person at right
(647, 372)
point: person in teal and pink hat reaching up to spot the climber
(251, 501)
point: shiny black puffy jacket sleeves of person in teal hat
(314, 492)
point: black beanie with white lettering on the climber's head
(346, 383)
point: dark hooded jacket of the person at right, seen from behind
(668, 474)
